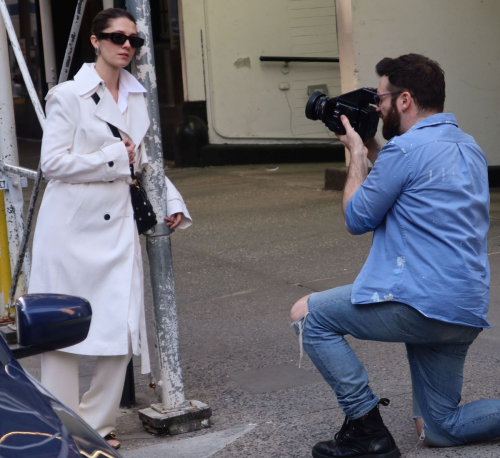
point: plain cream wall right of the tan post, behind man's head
(462, 35)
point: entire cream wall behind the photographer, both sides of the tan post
(245, 103)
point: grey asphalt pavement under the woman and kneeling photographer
(264, 236)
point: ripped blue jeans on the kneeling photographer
(436, 353)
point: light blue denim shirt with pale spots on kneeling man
(427, 201)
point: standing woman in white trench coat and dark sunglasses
(86, 241)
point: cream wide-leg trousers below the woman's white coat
(99, 405)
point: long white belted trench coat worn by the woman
(86, 242)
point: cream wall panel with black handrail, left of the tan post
(244, 100)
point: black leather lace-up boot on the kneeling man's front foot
(366, 437)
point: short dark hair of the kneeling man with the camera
(420, 76)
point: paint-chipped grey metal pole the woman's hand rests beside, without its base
(158, 246)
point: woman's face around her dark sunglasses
(113, 54)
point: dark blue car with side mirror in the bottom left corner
(32, 422)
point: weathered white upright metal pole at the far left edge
(13, 192)
